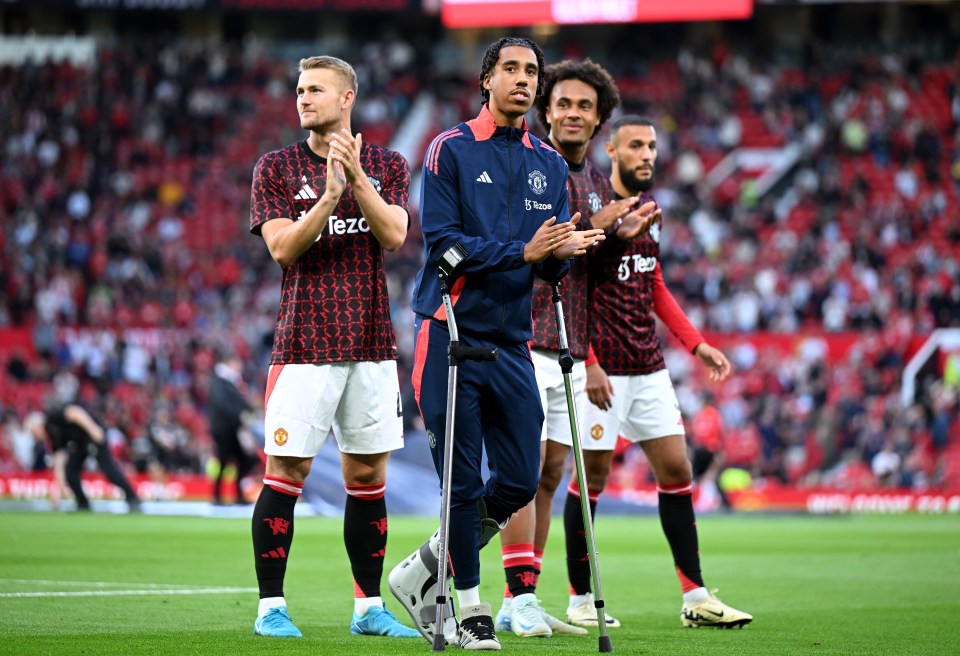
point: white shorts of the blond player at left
(360, 401)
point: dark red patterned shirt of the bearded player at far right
(622, 324)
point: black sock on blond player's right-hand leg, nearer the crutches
(365, 537)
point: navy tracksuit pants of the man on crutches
(497, 409)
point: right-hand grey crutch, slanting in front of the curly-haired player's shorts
(566, 365)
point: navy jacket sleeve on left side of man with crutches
(442, 223)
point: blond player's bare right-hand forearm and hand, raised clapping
(388, 223)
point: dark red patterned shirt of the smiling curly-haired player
(589, 191)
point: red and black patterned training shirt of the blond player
(333, 305)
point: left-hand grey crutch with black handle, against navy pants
(455, 355)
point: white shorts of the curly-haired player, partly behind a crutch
(553, 395)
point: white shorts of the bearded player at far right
(644, 408)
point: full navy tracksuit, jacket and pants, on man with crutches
(488, 188)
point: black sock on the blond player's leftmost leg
(272, 537)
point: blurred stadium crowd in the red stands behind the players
(125, 186)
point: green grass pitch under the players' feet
(141, 584)
